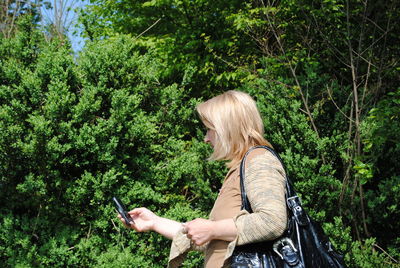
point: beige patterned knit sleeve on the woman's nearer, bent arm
(265, 187)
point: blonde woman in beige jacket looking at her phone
(234, 125)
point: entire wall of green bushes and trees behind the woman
(119, 120)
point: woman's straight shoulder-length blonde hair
(237, 122)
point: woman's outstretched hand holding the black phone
(144, 219)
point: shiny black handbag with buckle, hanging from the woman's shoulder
(304, 243)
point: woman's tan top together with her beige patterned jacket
(265, 188)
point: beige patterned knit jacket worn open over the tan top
(265, 188)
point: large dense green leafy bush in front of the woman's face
(76, 133)
